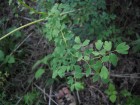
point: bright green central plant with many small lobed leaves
(70, 51)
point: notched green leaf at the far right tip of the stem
(122, 48)
